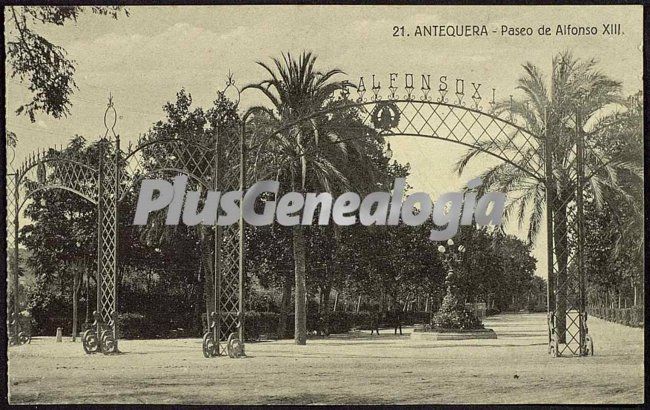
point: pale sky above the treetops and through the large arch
(143, 60)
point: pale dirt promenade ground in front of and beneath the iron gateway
(342, 369)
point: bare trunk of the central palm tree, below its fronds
(299, 256)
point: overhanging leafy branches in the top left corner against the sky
(35, 60)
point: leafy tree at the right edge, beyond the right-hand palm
(614, 251)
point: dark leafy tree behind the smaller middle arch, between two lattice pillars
(192, 246)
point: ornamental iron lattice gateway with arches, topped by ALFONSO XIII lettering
(226, 166)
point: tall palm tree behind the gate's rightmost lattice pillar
(549, 108)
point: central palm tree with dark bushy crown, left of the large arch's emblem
(308, 154)
